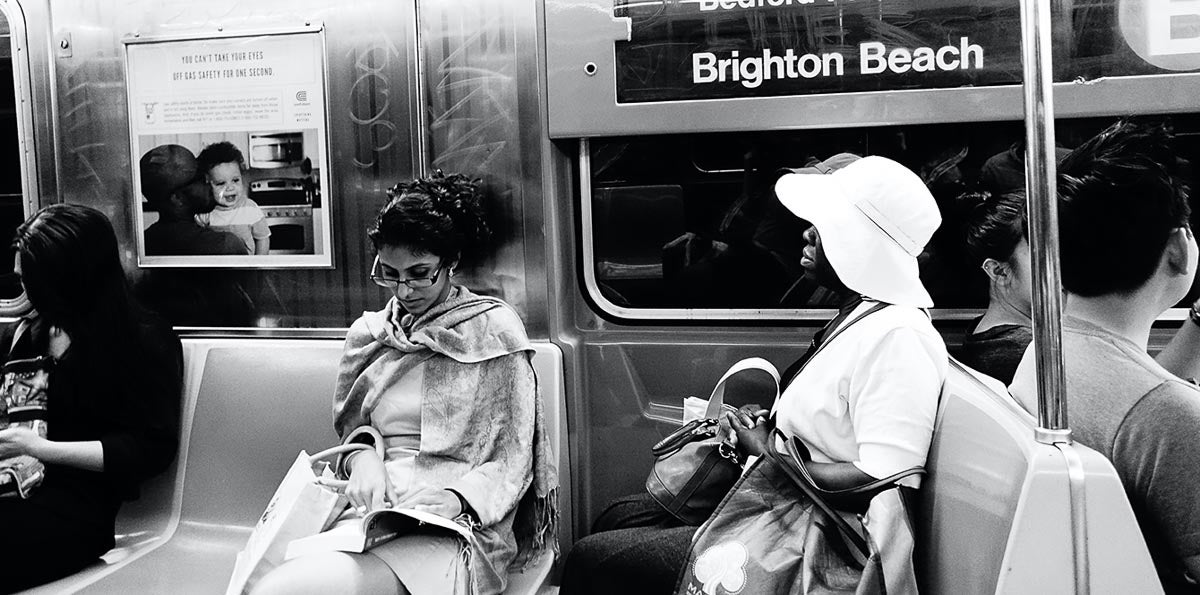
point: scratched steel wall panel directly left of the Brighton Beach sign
(484, 121)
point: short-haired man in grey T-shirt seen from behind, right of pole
(1129, 254)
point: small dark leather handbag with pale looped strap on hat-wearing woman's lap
(695, 468)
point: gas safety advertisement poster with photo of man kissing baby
(231, 152)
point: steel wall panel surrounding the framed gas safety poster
(373, 115)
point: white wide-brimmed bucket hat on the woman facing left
(875, 218)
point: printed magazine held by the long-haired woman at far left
(23, 399)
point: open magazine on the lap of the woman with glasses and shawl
(377, 527)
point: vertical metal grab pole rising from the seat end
(1043, 215)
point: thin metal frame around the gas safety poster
(322, 260)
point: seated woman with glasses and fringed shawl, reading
(442, 377)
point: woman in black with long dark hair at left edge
(113, 396)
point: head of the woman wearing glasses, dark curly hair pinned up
(427, 229)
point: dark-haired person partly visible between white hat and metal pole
(997, 237)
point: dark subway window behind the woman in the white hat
(692, 221)
